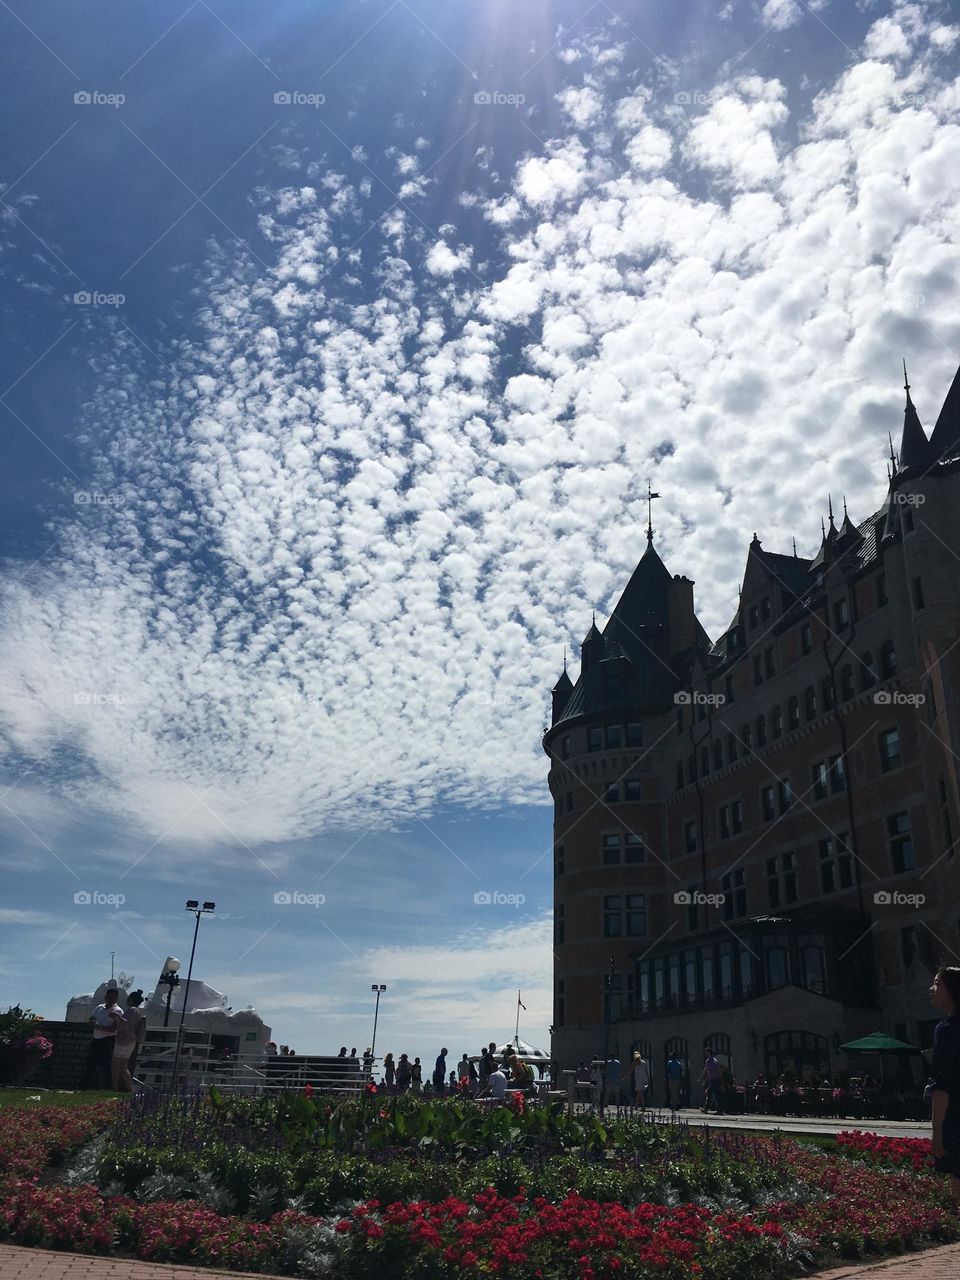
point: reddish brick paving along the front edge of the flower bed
(19, 1264)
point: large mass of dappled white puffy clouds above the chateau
(350, 536)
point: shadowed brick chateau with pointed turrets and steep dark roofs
(755, 839)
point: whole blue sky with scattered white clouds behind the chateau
(340, 344)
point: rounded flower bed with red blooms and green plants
(559, 1199)
